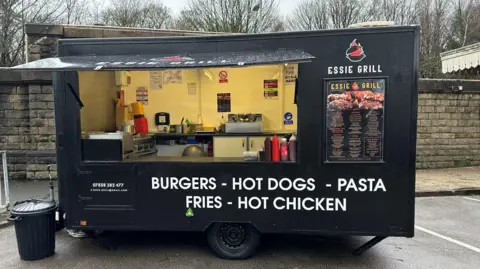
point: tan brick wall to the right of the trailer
(448, 130)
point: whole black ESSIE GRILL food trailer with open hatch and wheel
(299, 132)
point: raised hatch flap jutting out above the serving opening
(181, 61)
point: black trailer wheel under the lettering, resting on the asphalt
(233, 241)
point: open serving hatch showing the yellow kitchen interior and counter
(190, 115)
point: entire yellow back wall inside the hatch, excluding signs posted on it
(245, 86)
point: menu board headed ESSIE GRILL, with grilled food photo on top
(354, 111)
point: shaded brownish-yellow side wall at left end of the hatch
(97, 91)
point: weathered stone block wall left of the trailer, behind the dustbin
(27, 127)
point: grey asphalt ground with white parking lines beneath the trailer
(446, 236)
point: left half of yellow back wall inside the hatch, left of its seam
(171, 98)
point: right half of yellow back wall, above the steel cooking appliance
(246, 89)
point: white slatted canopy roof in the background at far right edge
(460, 59)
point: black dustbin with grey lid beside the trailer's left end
(35, 228)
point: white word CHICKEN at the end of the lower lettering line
(310, 204)
